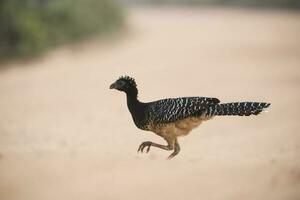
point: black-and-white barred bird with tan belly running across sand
(171, 118)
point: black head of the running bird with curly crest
(125, 84)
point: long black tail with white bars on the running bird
(237, 108)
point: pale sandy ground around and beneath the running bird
(65, 135)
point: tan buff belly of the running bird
(177, 128)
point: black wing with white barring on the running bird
(170, 110)
